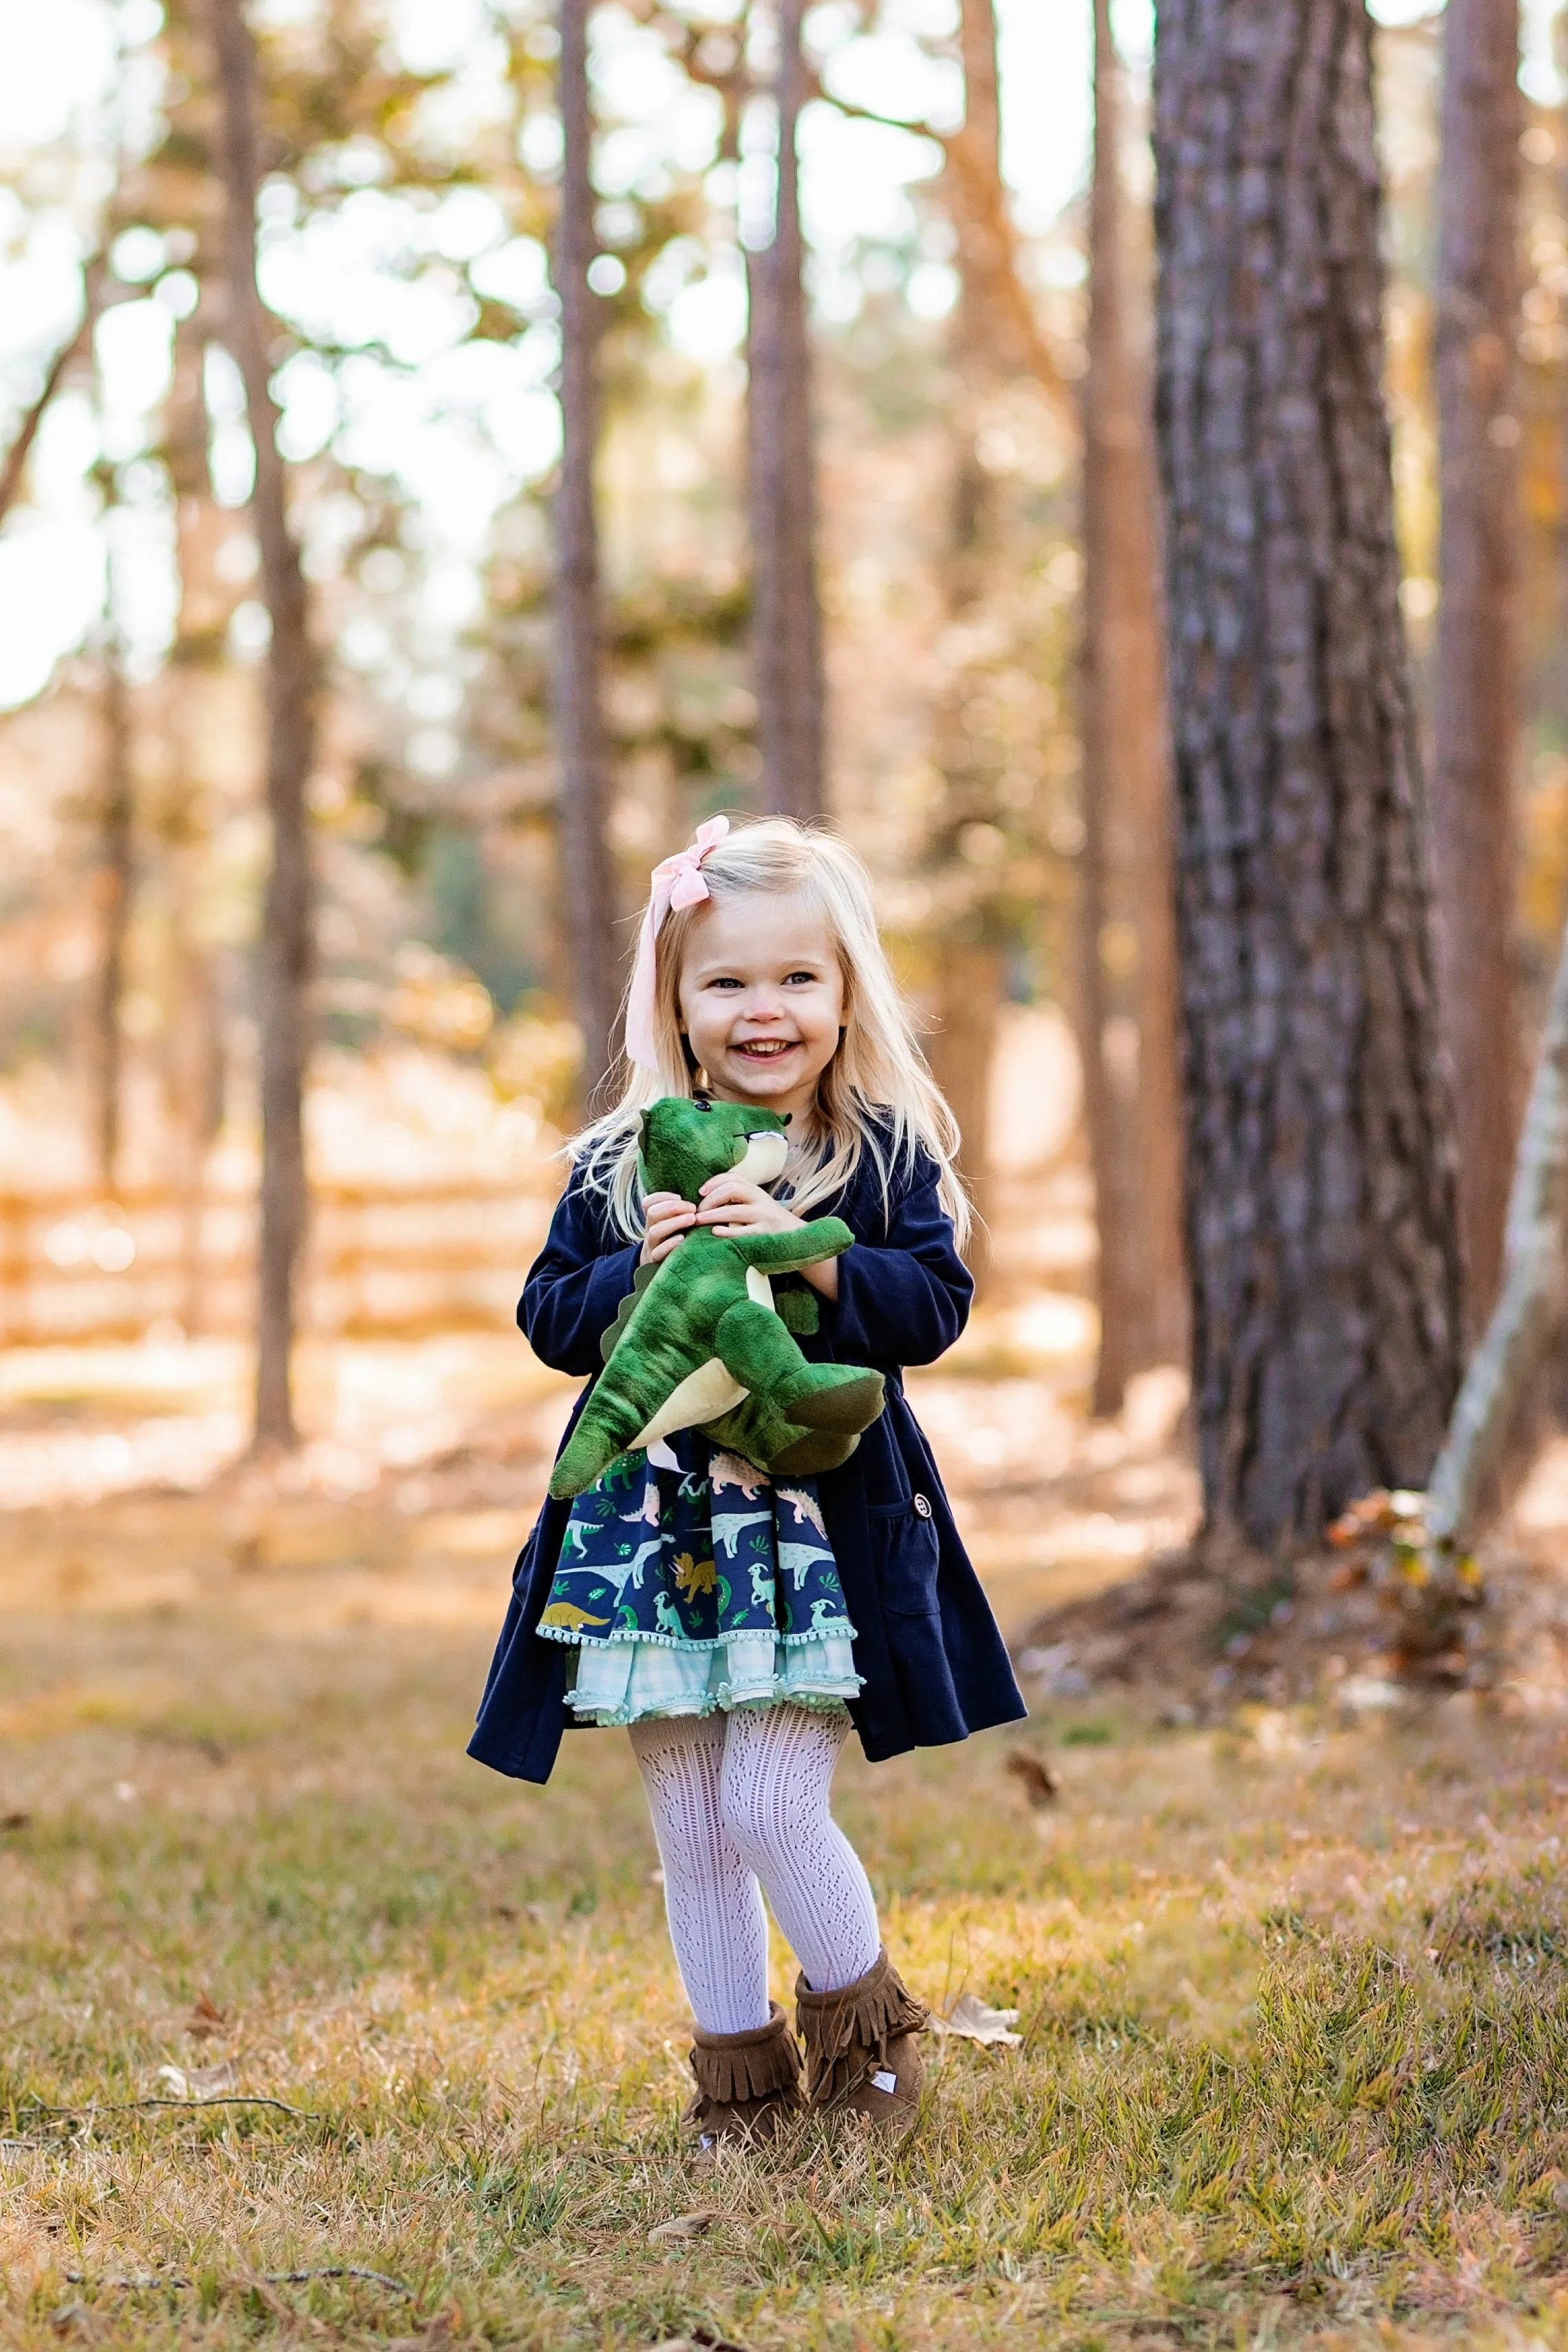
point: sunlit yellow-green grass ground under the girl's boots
(1294, 2000)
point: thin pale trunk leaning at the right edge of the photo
(1529, 1304)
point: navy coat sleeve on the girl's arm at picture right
(904, 1297)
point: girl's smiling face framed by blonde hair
(763, 1001)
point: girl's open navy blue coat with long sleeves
(925, 1636)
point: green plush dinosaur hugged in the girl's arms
(702, 1344)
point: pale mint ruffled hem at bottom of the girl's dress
(631, 1681)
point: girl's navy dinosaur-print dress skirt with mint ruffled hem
(699, 1584)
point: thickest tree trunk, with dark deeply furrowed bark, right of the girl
(1322, 1229)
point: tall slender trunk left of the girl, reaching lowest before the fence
(290, 709)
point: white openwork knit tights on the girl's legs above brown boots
(739, 1800)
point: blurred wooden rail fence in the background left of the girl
(382, 1259)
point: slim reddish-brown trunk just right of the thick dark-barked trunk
(1475, 697)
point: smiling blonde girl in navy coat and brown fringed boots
(760, 980)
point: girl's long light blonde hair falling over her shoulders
(876, 1100)
